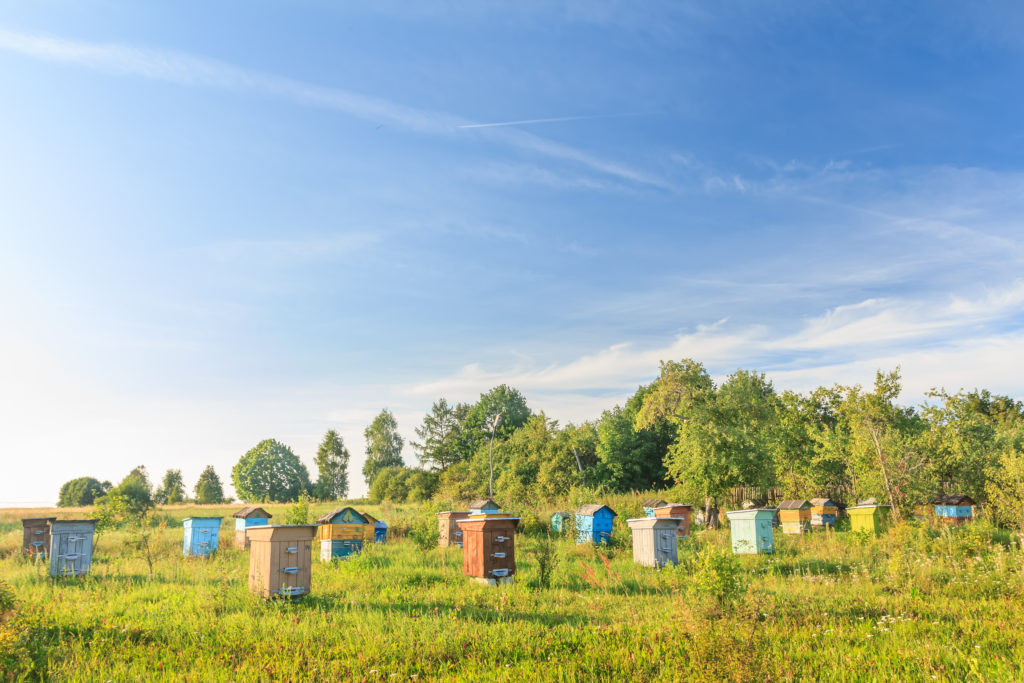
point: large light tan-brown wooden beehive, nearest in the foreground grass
(281, 560)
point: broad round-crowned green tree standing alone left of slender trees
(270, 472)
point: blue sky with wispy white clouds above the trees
(226, 223)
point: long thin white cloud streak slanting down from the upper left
(189, 70)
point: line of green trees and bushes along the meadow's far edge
(684, 431)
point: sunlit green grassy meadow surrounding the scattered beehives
(917, 604)
